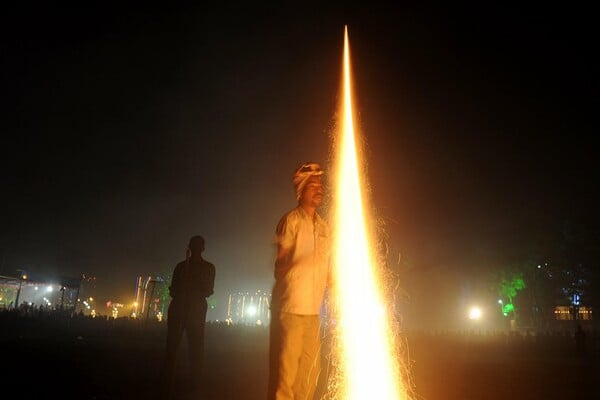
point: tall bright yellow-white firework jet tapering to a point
(368, 366)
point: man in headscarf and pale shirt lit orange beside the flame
(301, 278)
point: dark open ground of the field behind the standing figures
(72, 358)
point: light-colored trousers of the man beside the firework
(299, 356)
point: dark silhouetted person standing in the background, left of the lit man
(193, 281)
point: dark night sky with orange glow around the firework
(128, 129)
